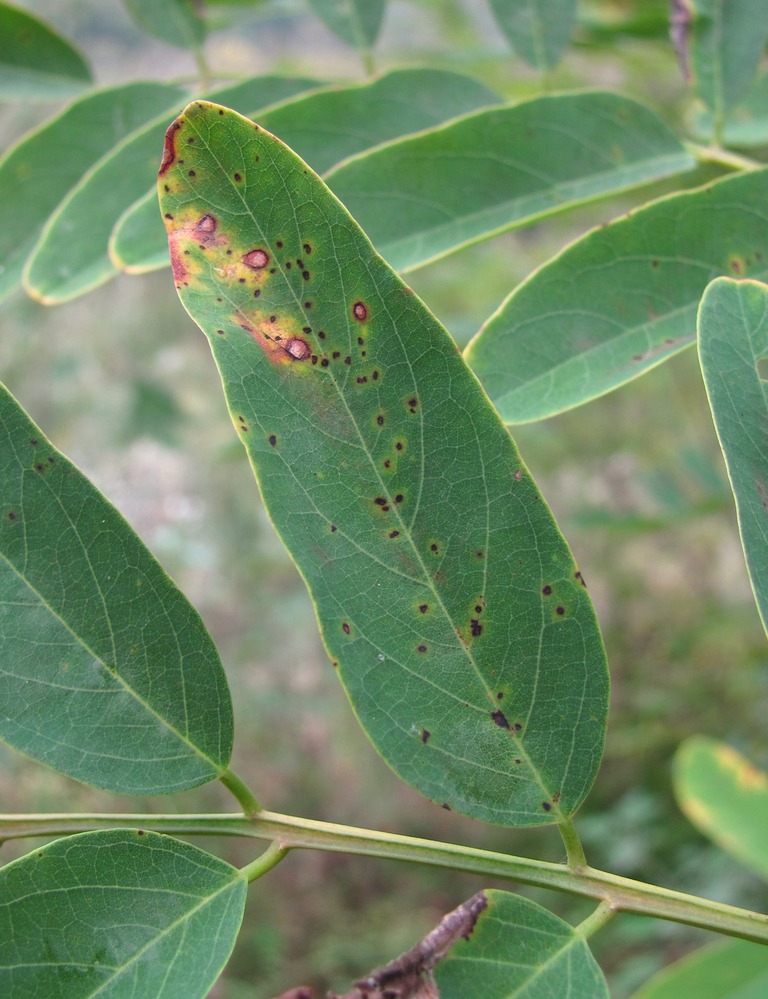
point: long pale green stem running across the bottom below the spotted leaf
(620, 894)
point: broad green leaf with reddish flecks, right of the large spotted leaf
(620, 300)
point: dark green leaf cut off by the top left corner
(35, 62)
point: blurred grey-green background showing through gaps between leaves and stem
(123, 383)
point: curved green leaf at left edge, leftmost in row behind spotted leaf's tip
(34, 179)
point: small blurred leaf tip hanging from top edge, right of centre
(537, 30)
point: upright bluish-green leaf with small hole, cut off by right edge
(733, 344)
